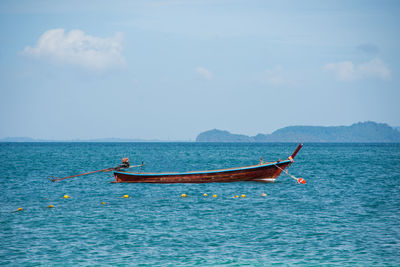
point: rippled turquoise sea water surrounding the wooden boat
(348, 213)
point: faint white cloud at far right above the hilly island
(347, 71)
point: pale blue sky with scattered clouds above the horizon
(171, 69)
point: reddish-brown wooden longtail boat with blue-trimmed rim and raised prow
(263, 172)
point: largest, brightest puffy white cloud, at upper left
(77, 48)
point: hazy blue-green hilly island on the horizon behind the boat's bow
(362, 132)
